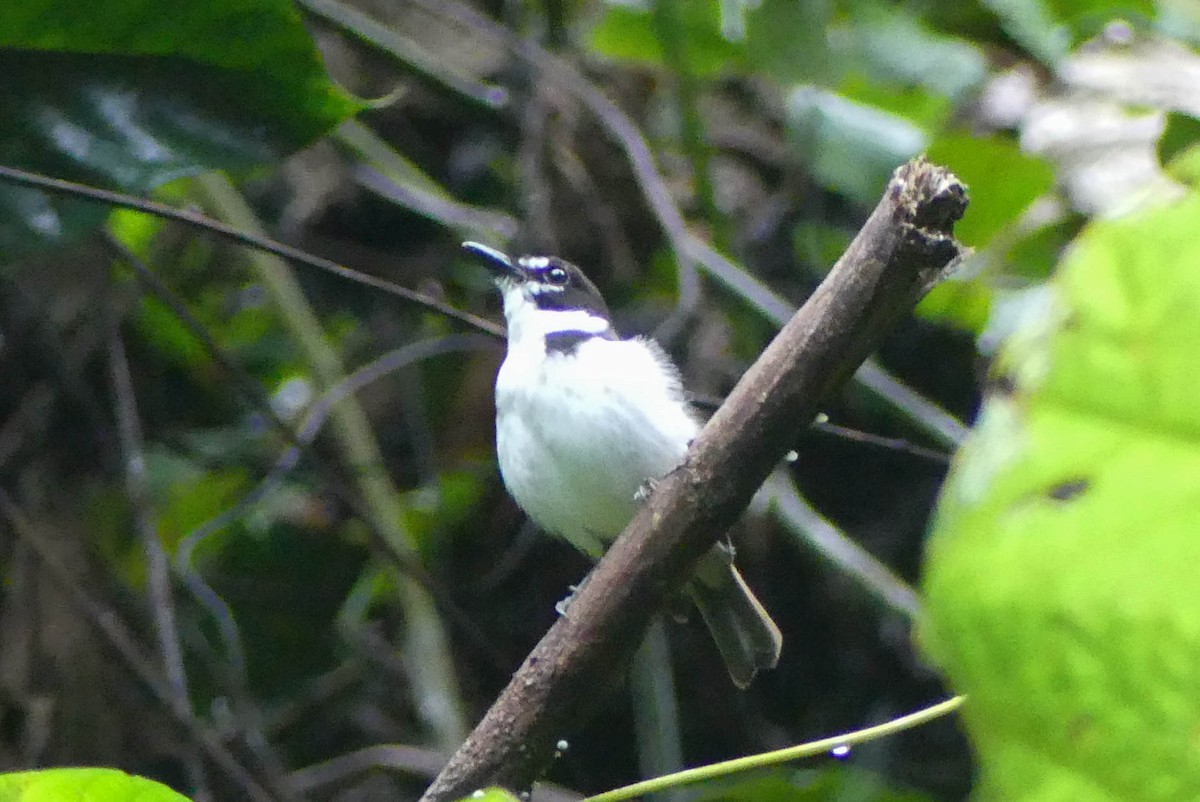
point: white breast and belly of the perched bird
(575, 447)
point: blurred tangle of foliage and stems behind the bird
(229, 568)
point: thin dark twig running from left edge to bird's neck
(257, 242)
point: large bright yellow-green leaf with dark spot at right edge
(1060, 578)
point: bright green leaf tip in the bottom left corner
(83, 786)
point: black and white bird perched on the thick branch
(585, 418)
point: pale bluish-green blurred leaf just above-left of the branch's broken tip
(853, 148)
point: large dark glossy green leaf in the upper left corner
(119, 94)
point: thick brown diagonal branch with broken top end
(903, 250)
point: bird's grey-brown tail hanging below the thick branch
(747, 638)
